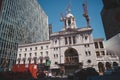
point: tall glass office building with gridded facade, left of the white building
(21, 21)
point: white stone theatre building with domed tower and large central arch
(69, 49)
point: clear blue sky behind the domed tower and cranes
(54, 8)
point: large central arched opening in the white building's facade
(71, 60)
